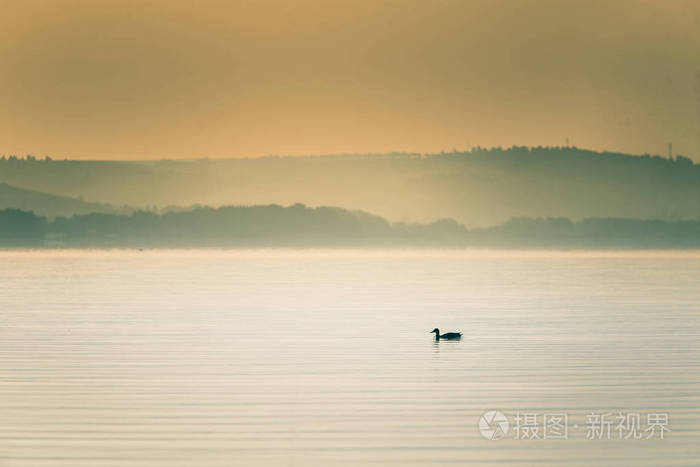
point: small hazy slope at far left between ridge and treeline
(45, 204)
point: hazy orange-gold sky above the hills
(154, 79)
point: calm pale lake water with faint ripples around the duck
(284, 357)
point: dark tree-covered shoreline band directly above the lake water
(301, 226)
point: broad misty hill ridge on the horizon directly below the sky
(480, 187)
